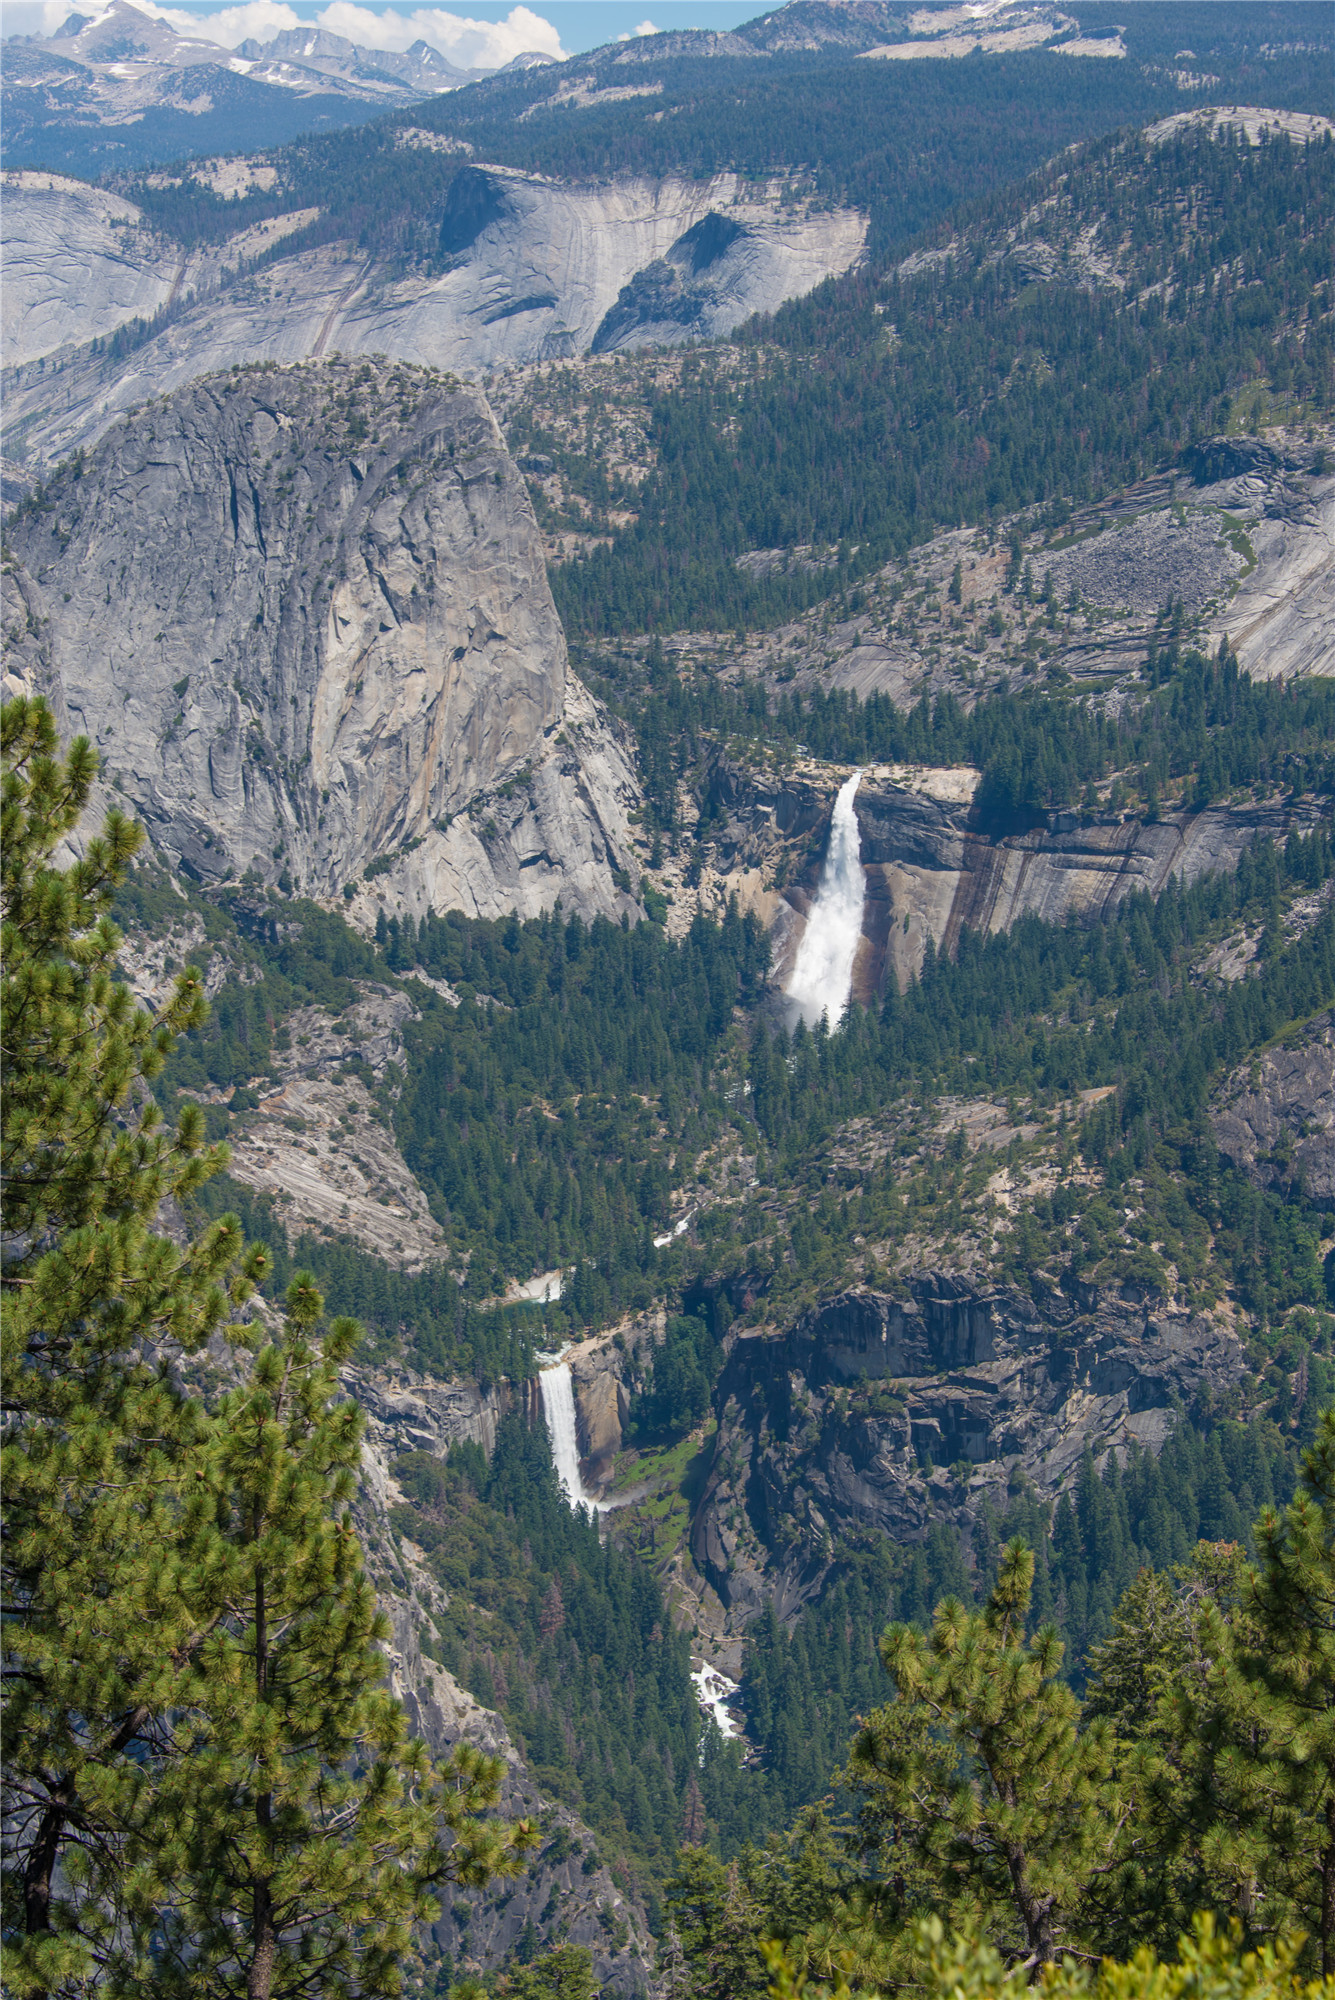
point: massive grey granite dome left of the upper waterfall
(305, 617)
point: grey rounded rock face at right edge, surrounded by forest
(1276, 1119)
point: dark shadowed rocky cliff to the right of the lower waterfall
(888, 1413)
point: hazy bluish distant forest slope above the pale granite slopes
(902, 141)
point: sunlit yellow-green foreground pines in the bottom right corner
(982, 1785)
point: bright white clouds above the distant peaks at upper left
(471, 45)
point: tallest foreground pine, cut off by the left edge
(97, 1433)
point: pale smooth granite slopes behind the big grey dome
(533, 271)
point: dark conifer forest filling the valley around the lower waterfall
(657, 1029)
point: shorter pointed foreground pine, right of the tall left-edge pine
(299, 1833)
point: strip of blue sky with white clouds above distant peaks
(477, 33)
